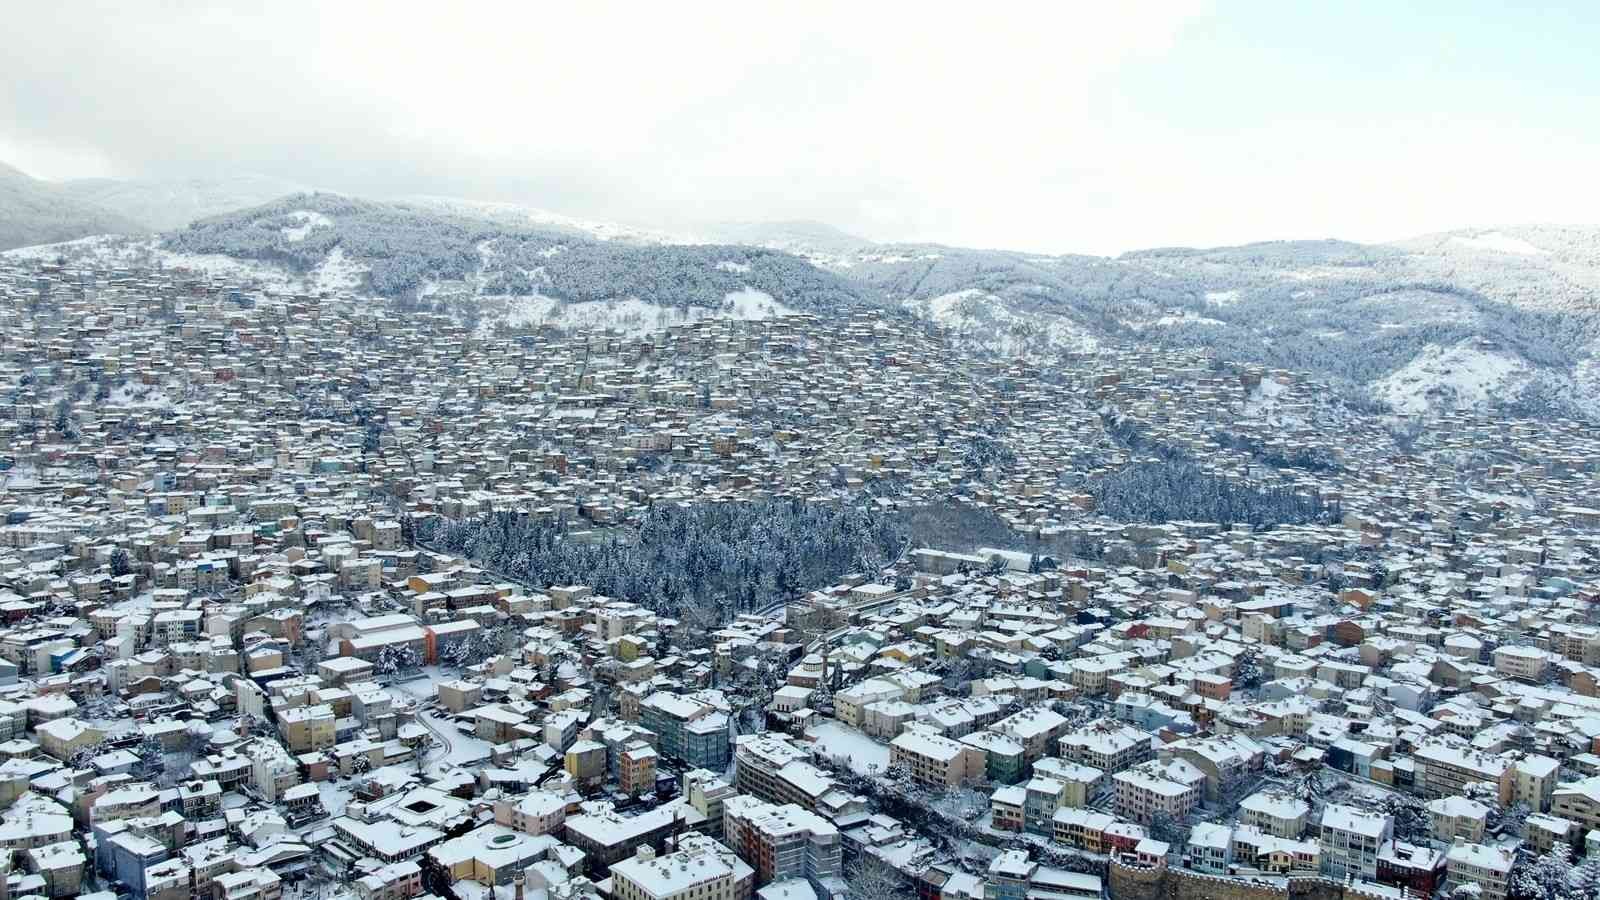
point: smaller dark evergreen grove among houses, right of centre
(1177, 491)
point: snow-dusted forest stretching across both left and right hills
(1343, 311)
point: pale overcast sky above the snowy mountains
(1047, 127)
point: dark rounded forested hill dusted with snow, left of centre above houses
(407, 249)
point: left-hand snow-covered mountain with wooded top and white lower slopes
(502, 267)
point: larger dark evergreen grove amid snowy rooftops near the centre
(732, 556)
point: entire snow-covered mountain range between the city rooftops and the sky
(1506, 316)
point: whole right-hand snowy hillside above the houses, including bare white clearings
(1430, 324)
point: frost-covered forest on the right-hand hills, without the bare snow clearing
(1345, 311)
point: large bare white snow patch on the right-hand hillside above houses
(1452, 377)
